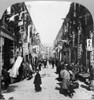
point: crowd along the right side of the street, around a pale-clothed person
(69, 74)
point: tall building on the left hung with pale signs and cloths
(17, 28)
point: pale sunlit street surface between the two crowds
(24, 90)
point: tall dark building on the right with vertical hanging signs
(77, 29)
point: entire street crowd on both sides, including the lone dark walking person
(68, 74)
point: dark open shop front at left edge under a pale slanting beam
(6, 49)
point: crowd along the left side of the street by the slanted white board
(25, 71)
